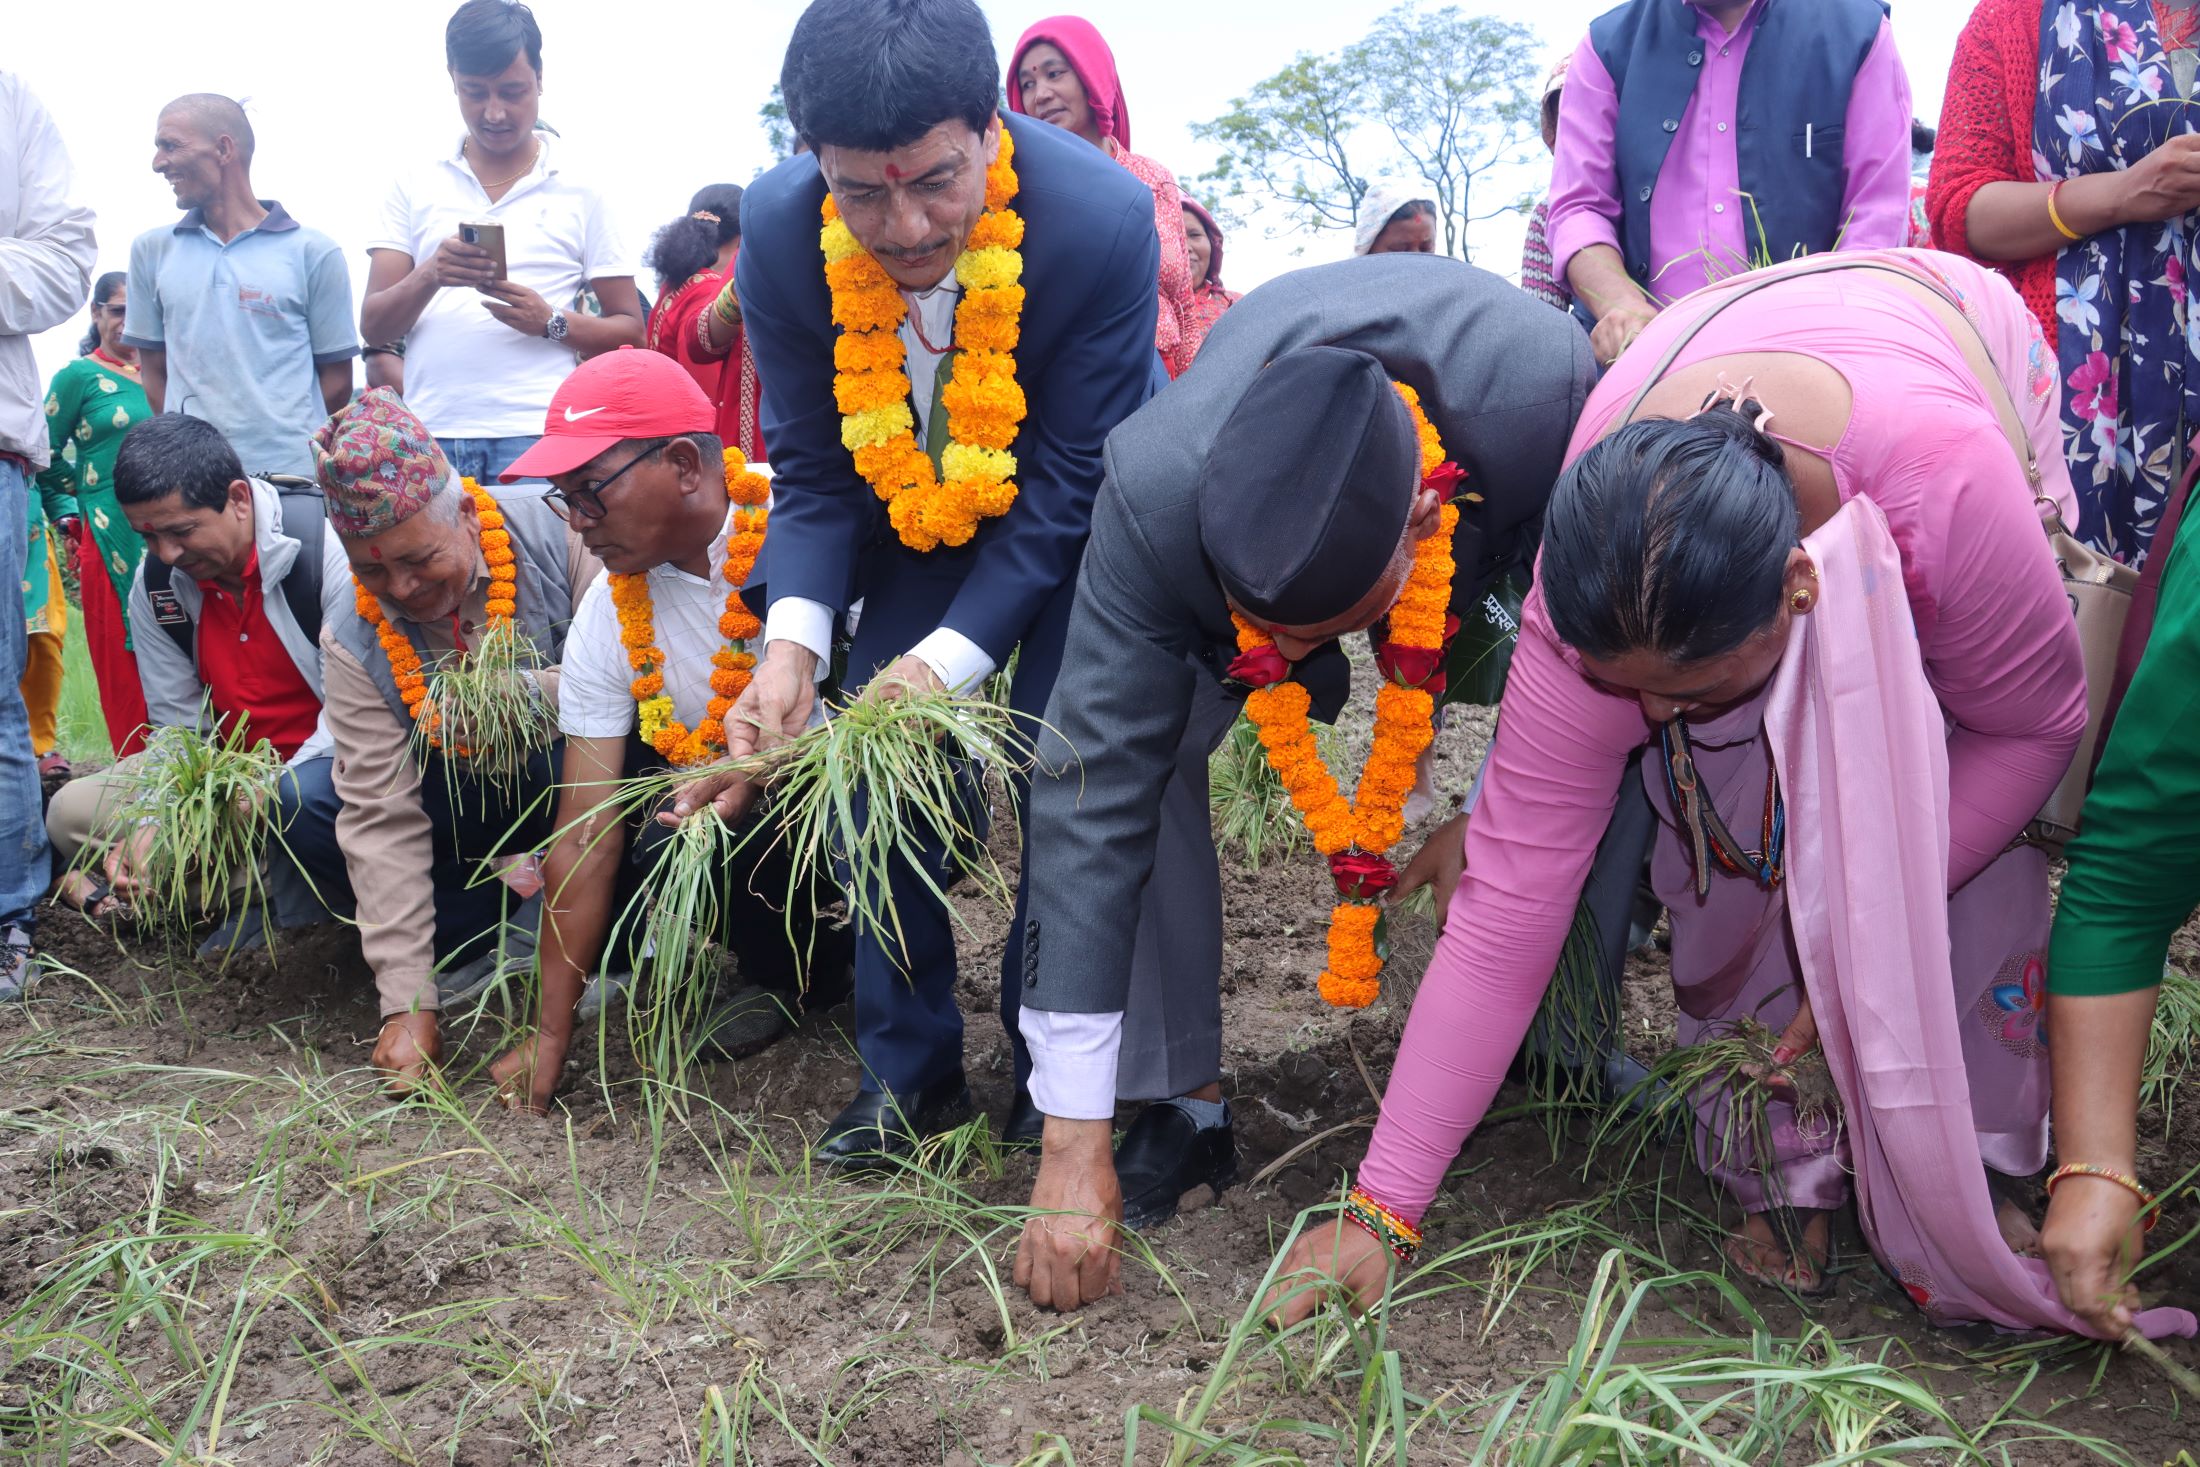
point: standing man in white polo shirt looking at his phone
(485, 353)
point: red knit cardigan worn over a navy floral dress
(1988, 137)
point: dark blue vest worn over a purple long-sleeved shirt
(1790, 118)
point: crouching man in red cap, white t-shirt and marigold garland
(637, 470)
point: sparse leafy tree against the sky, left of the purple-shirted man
(1442, 96)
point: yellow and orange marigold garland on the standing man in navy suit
(982, 399)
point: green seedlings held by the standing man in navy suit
(848, 804)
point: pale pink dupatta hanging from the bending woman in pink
(1867, 896)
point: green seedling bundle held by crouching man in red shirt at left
(199, 810)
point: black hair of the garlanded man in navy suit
(881, 74)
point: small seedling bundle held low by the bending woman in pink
(1732, 1077)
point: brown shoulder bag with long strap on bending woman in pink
(2100, 588)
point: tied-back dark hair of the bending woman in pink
(1671, 538)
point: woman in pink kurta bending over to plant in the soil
(1882, 626)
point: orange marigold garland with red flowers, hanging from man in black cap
(1356, 835)
